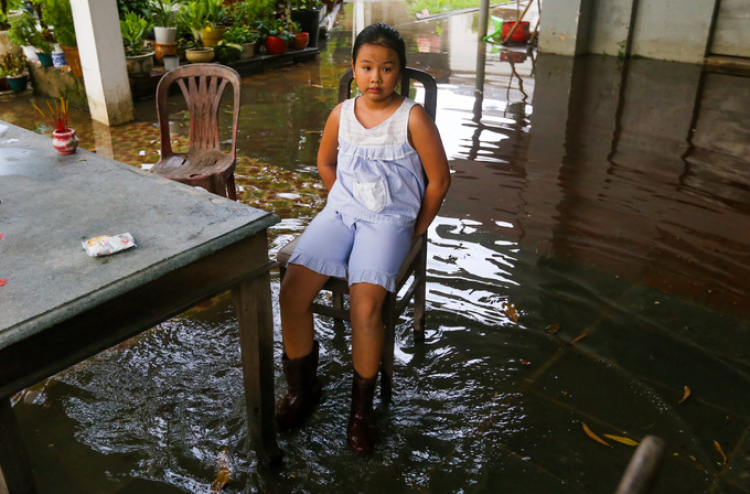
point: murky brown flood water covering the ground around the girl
(589, 266)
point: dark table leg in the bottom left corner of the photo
(15, 469)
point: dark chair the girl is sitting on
(414, 267)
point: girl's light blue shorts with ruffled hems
(373, 252)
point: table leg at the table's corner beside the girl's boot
(252, 301)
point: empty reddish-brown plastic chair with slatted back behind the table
(204, 165)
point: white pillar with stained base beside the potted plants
(103, 61)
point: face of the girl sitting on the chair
(376, 71)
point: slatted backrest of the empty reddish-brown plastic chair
(202, 86)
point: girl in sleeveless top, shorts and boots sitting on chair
(374, 154)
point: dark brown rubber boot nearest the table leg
(303, 390)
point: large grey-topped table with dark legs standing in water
(59, 306)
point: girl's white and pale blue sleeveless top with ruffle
(379, 176)
